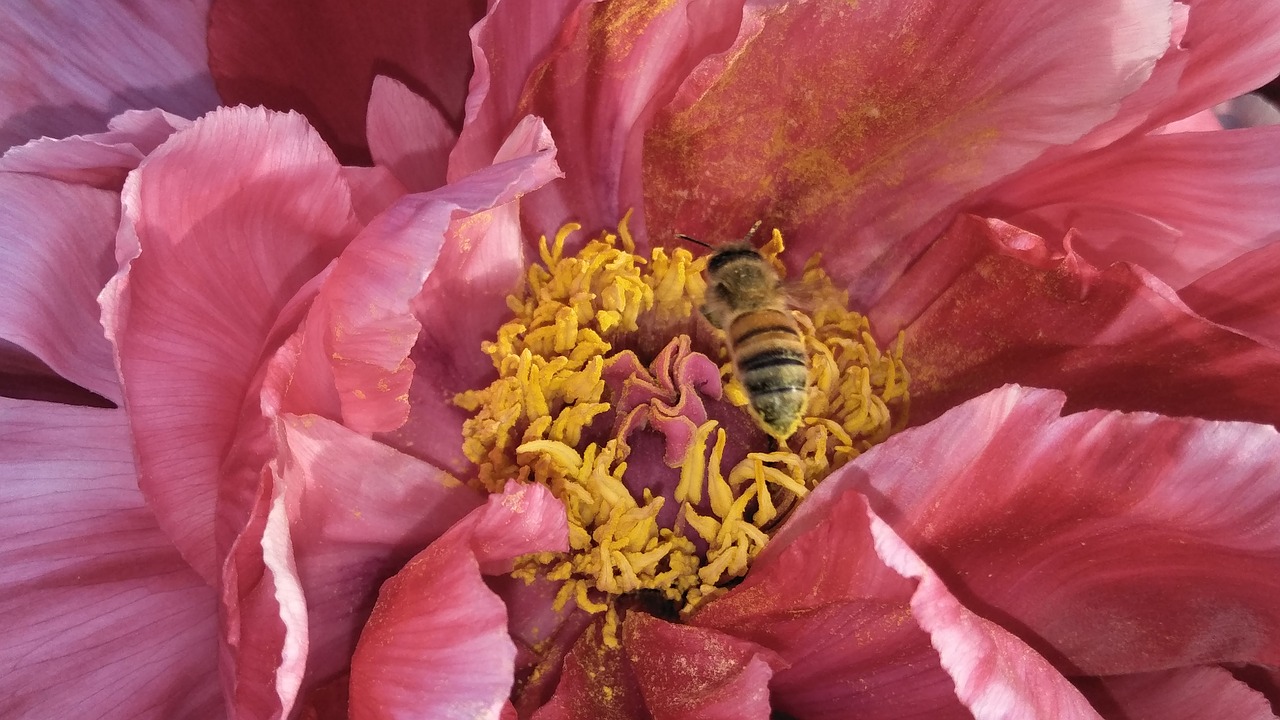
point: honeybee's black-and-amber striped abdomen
(772, 364)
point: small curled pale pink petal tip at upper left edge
(100, 160)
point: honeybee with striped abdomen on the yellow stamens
(746, 300)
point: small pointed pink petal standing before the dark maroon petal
(409, 135)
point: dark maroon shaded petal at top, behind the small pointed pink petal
(322, 58)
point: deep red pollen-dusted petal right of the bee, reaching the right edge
(991, 304)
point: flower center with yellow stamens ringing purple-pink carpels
(609, 397)
